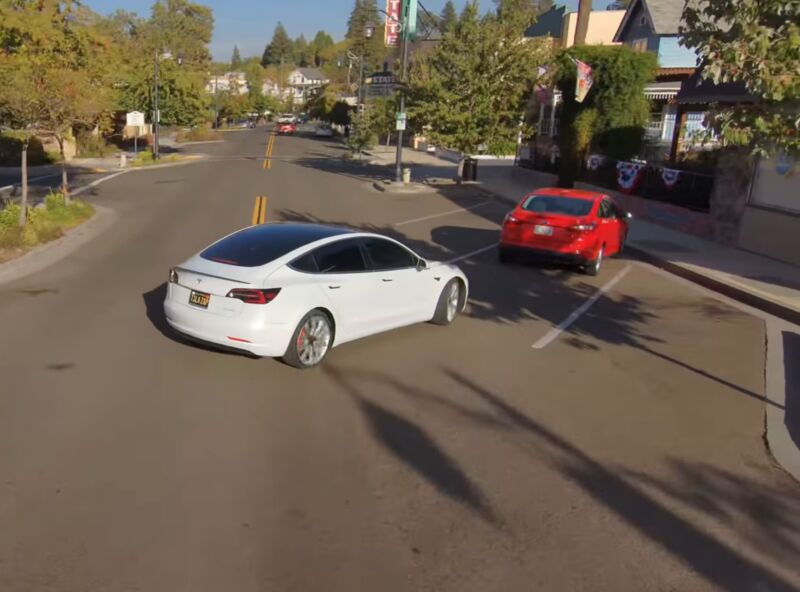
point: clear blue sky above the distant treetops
(249, 23)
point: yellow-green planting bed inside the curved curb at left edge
(46, 223)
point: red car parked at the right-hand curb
(580, 227)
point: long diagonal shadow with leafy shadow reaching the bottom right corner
(715, 493)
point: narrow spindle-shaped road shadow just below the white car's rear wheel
(416, 449)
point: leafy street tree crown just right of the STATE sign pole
(472, 88)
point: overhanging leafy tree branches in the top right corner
(757, 44)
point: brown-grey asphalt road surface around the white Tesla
(624, 454)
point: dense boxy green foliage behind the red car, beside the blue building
(611, 118)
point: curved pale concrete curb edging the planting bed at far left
(48, 254)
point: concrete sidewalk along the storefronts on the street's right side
(760, 282)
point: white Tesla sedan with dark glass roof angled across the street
(294, 290)
